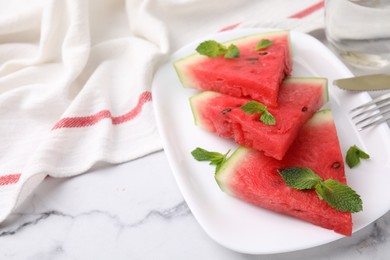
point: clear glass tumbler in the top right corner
(359, 32)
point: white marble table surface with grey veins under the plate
(135, 211)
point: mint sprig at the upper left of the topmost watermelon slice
(212, 49)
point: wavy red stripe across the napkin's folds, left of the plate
(84, 121)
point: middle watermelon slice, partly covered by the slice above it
(299, 98)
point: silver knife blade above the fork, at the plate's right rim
(364, 83)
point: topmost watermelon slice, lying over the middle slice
(255, 74)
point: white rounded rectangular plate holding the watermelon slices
(234, 223)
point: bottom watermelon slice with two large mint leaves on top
(251, 176)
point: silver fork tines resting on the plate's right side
(372, 113)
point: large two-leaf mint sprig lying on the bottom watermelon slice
(334, 193)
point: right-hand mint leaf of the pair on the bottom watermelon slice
(339, 196)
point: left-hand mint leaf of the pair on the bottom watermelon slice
(300, 178)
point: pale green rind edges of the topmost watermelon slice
(182, 64)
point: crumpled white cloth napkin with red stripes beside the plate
(75, 77)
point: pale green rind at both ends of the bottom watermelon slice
(228, 168)
